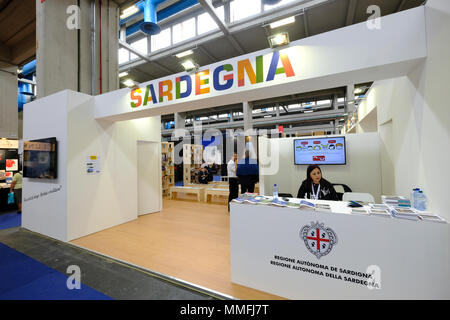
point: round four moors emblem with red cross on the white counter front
(318, 239)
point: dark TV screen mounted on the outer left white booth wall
(40, 158)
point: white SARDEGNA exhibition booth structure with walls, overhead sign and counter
(109, 160)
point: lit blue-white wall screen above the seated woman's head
(320, 151)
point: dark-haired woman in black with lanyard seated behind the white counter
(316, 187)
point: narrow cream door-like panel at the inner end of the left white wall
(149, 177)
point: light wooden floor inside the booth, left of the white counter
(188, 240)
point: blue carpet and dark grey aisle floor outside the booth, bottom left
(35, 267)
